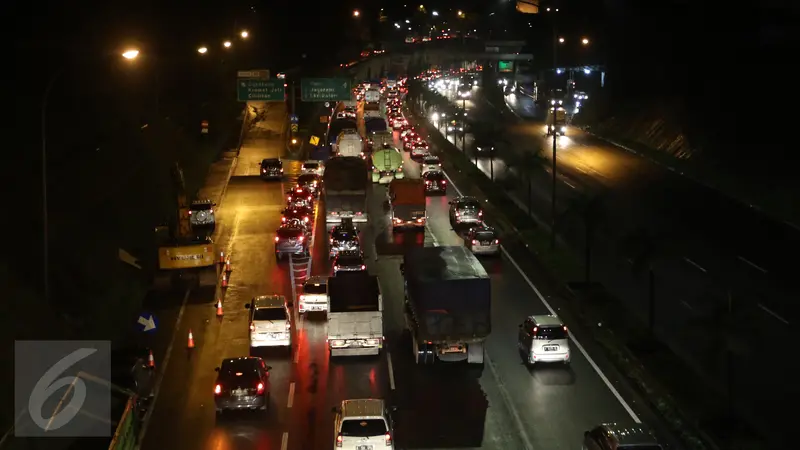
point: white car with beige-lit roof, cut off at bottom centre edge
(363, 424)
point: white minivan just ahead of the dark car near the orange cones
(270, 321)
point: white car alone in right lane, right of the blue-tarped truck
(543, 339)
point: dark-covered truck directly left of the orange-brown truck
(345, 189)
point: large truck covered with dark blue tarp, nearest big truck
(448, 299)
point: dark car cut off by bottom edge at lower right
(617, 436)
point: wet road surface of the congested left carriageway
(502, 406)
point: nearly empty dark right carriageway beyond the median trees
(706, 242)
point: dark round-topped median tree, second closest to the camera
(645, 249)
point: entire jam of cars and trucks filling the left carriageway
(447, 307)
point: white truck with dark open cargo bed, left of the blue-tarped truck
(355, 314)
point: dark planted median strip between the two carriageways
(562, 267)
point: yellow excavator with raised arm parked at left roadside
(185, 259)
